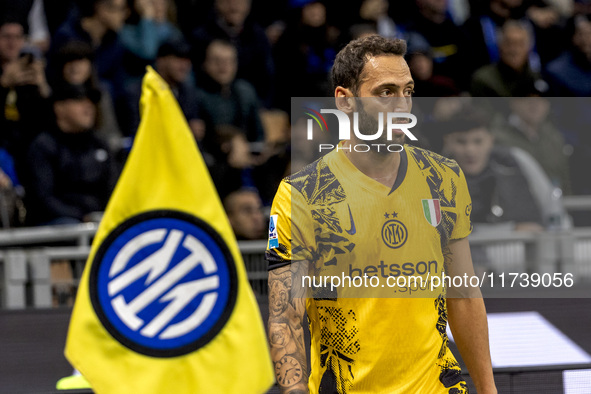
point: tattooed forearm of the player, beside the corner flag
(286, 334)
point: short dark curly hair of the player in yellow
(348, 65)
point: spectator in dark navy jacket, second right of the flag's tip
(225, 99)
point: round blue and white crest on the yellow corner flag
(163, 283)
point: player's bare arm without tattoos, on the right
(467, 319)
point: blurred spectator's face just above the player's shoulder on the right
(471, 149)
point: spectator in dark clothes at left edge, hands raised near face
(23, 92)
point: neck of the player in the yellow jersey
(379, 166)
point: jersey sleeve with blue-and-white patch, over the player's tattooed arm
(291, 234)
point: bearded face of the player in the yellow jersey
(386, 86)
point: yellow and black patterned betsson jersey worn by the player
(344, 223)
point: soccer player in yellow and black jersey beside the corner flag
(388, 216)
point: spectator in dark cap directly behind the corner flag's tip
(173, 63)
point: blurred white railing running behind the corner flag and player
(25, 267)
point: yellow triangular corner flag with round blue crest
(164, 305)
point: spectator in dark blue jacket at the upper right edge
(570, 74)
